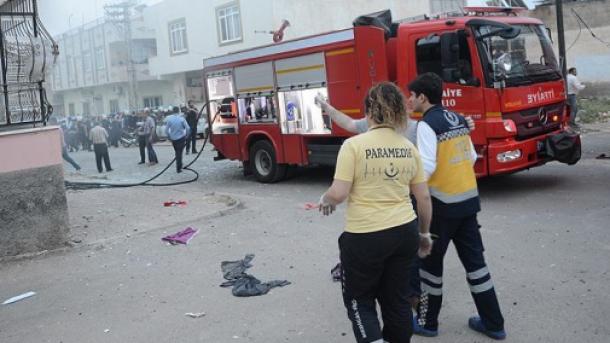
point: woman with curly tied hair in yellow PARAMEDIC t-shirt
(375, 172)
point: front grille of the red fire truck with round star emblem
(536, 121)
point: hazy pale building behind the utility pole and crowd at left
(91, 75)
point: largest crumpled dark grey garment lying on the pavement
(246, 285)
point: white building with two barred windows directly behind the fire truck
(188, 32)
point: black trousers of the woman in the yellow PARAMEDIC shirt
(376, 268)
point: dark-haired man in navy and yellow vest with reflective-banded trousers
(449, 156)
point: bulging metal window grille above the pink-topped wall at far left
(27, 52)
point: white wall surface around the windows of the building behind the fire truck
(306, 18)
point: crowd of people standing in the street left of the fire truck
(97, 133)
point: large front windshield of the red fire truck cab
(525, 59)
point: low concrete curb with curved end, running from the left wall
(99, 244)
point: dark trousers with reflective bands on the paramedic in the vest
(464, 232)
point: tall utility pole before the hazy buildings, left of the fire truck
(120, 14)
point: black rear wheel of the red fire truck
(264, 164)
